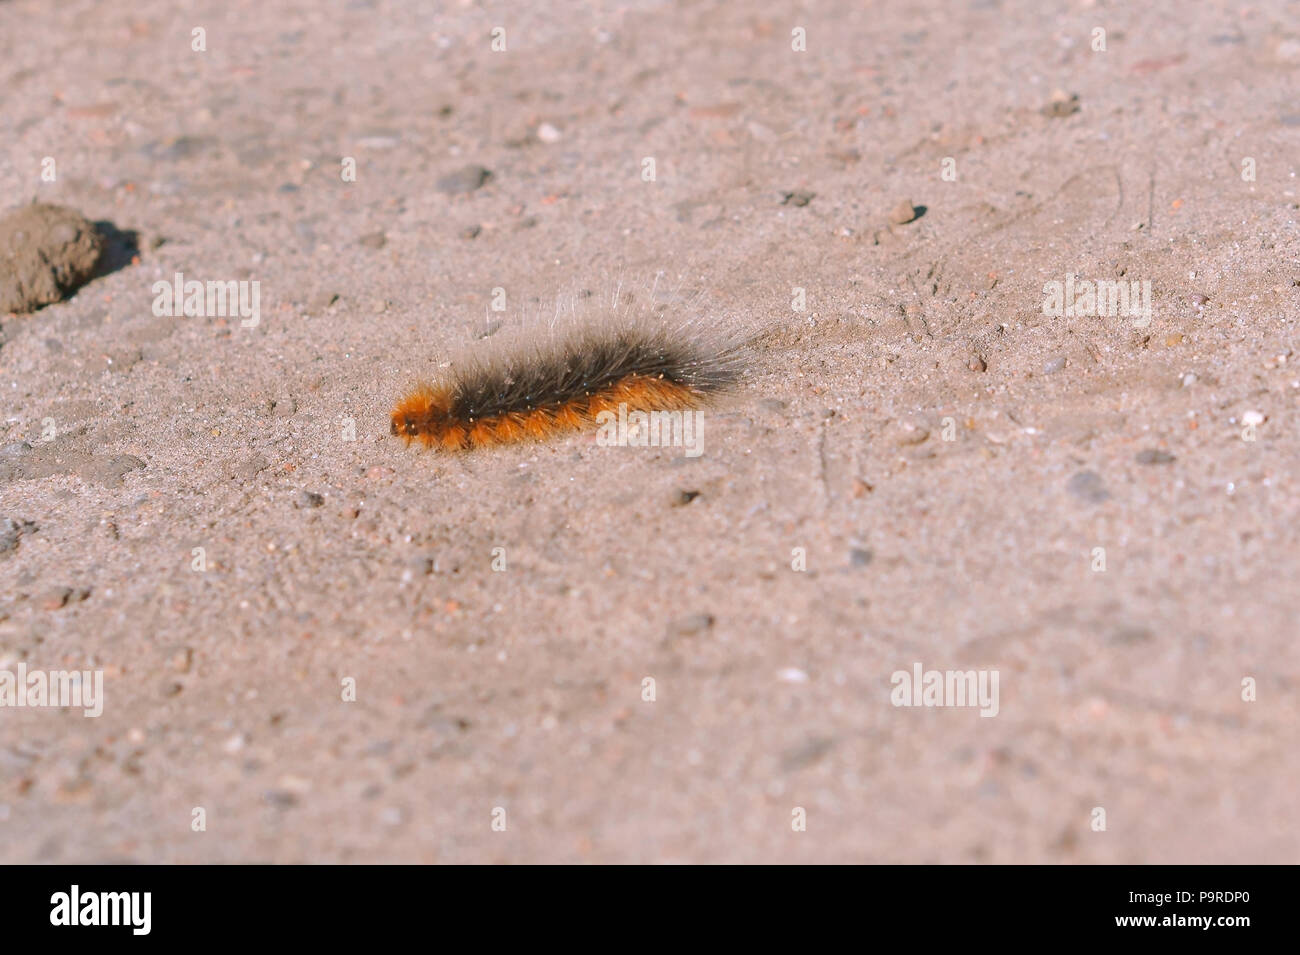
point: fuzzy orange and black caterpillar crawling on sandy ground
(535, 390)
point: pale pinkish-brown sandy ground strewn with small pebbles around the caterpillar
(946, 455)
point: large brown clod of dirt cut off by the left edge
(46, 254)
